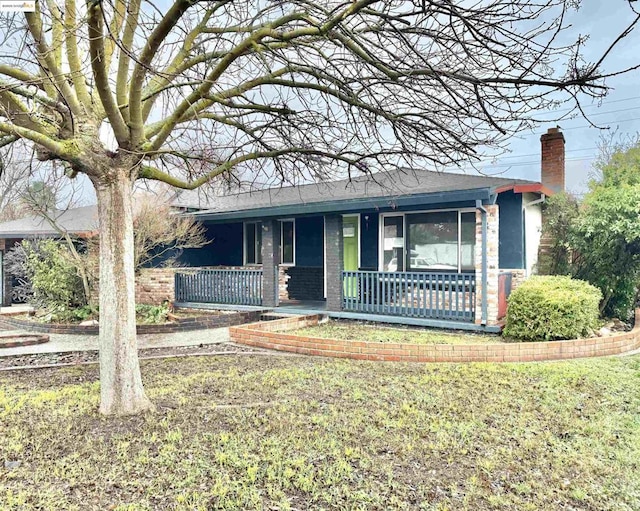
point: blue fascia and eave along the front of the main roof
(343, 206)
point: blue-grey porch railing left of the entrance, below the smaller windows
(235, 287)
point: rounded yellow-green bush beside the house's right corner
(551, 308)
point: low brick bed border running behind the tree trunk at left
(198, 323)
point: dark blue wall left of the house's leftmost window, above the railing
(225, 248)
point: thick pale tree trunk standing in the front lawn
(121, 390)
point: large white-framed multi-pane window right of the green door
(429, 241)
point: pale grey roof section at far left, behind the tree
(76, 220)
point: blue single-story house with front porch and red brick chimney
(411, 245)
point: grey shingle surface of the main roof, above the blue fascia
(384, 184)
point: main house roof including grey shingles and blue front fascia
(384, 189)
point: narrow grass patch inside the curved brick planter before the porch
(373, 332)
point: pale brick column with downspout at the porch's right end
(491, 280)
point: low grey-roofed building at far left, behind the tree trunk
(80, 222)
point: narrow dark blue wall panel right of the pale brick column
(511, 254)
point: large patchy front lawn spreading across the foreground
(278, 433)
